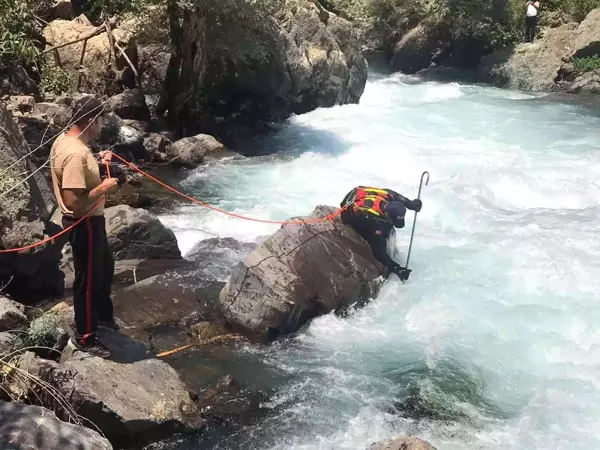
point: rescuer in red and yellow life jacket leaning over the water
(373, 213)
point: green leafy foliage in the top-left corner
(18, 31)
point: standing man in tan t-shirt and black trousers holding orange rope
(80, 192)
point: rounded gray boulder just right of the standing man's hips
(136, 234)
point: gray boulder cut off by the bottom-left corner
(28, 427)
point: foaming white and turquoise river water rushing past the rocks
(499, 325)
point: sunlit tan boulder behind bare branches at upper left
(97, 73)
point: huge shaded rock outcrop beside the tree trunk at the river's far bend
(299, 59)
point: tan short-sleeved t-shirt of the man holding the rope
(74, 167)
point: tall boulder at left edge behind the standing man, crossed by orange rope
(26, 202)
